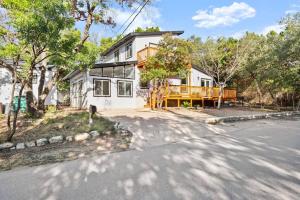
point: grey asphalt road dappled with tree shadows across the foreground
(247, 160)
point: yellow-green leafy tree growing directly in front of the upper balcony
(171, 60)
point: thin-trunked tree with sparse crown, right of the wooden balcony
(220, 59)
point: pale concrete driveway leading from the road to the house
(151, 128)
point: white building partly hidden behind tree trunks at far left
(6, 83)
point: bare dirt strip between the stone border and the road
(62, 152)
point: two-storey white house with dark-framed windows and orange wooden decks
(115, 82)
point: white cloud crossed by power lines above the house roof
(147, 18)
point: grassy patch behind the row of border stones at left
(57, 123)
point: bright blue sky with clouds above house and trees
(206, 18)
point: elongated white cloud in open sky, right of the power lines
(223, 16)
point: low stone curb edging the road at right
(217, 120)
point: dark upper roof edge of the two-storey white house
(132, 35)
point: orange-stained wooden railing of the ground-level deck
(183, 91)
